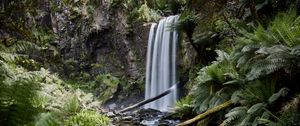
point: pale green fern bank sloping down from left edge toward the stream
(40, 97)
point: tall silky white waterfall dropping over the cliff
(161, 63)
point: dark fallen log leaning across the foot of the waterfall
(150, 99)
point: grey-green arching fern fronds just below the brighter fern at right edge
(267, 60)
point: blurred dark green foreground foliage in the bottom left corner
(18, 88)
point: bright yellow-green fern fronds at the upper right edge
(284, 29)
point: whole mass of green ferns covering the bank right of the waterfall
(259, 74)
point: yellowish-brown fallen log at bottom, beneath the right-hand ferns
(207, 113)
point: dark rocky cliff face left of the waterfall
(99, 42)
